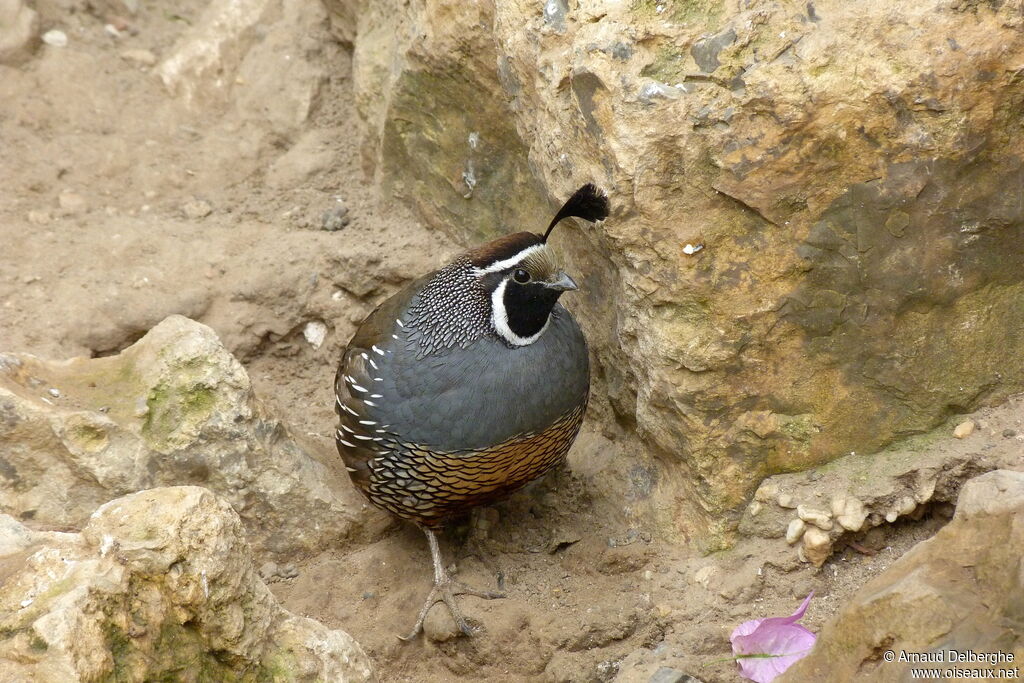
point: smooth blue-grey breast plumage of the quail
(475, 398)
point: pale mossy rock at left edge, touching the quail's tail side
(174, 409)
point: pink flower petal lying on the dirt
(766, 648)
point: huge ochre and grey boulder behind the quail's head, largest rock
(854, 202)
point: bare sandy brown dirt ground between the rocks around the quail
(119, 206)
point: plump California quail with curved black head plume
(466, 386)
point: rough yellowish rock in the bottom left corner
(160, 583)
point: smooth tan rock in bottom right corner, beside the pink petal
(960, 590)
